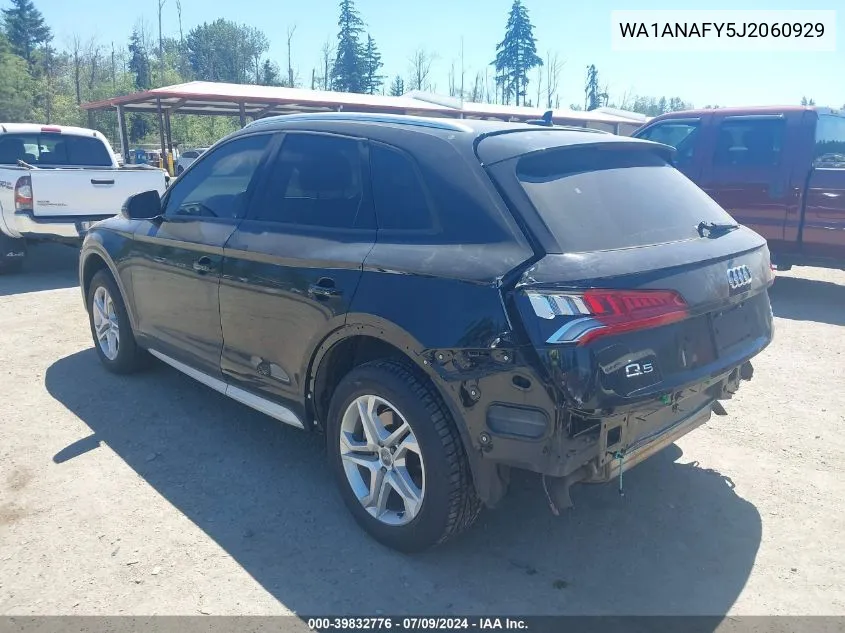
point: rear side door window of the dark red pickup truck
(749, 142)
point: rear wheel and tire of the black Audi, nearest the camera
(417, 488)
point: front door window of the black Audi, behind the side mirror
(216, 186)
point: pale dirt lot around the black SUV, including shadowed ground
(154, 495)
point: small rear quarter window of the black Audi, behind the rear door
(400, 198)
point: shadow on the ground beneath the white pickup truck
(47, 267)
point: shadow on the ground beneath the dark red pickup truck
(808, 300)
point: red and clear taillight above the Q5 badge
(596, 313)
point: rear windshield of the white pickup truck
(53, 150)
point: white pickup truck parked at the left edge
(56, 181)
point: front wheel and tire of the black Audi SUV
(110, 327)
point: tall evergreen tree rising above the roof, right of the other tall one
(516, 55)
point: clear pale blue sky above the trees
(578, 31)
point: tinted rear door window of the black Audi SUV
(316, 181)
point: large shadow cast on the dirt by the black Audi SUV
(680, 542)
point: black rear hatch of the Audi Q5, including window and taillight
(645, 287)
